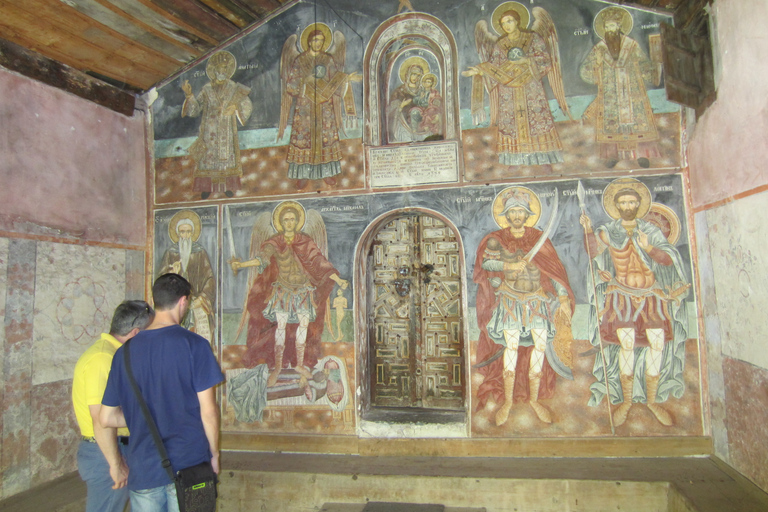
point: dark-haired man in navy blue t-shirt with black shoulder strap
(176, 372)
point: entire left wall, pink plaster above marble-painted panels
(73, 232)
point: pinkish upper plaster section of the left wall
(69, 167)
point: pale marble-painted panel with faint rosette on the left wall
(77, 289)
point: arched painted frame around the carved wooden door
(360, 311)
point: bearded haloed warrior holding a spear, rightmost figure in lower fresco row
(638, 288)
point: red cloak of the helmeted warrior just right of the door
(551, 268)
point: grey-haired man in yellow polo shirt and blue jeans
(99, 457)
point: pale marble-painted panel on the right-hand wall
(737, 246)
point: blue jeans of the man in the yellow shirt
(94, 470)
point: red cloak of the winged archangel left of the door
(260, 343)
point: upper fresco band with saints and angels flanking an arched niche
(360, 97)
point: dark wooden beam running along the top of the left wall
(43, 69)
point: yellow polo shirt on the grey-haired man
(91, 372)
